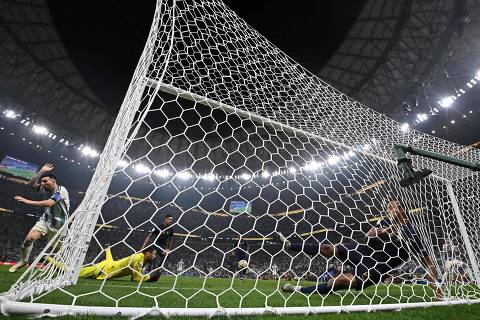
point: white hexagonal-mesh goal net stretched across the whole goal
(237, 142)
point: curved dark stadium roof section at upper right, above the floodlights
(397, 50)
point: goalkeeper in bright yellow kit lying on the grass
(109, 268)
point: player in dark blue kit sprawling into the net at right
(388, 247)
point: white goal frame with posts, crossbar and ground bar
(115, 148)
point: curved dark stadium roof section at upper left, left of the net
(38, 78)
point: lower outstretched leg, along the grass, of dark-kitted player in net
(343, 281)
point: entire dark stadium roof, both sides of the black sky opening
(394, 50)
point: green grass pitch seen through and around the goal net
(200, 292)
